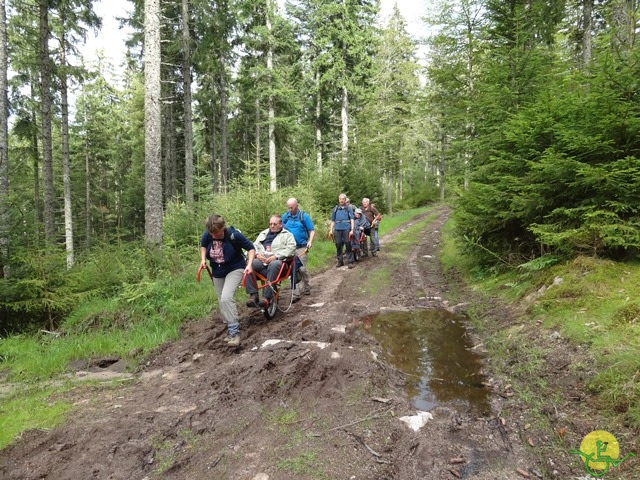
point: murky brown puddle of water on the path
(432, 349)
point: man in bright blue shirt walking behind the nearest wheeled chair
(300, 225)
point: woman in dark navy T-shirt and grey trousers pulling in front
(223, 247)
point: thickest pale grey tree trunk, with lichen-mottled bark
(152, 123)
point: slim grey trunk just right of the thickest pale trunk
(188, 126)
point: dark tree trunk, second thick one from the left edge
(45, 106)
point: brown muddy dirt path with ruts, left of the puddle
(307, 396)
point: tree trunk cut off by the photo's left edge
(4, 147)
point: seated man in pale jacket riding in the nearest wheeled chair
(273, 245)
